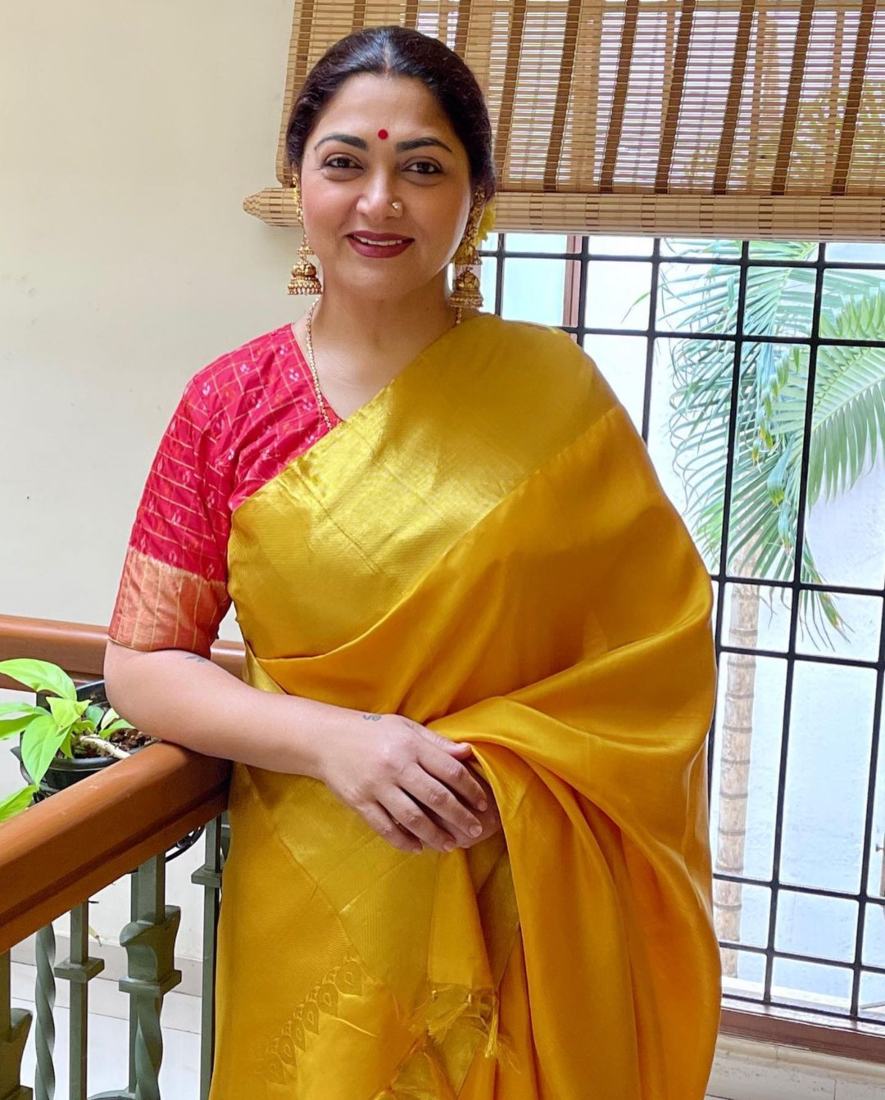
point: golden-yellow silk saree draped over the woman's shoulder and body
(485, 548)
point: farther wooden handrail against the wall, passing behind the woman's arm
(80, 647)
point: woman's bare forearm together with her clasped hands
(380, 769)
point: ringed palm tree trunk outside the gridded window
(737, 734)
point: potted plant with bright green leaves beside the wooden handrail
(70, 733)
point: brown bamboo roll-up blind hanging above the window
(746, 119)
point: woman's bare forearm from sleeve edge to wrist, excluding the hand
(183, 698)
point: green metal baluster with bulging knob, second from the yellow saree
(150, 943)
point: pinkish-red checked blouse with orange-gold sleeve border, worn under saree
(240, 422)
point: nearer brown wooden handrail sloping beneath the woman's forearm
(64, 850)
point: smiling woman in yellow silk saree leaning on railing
(469, 811)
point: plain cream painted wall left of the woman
(130, 135)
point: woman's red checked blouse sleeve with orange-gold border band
(173, 592)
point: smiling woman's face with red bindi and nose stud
(382, 139)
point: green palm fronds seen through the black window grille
(846, 421)
